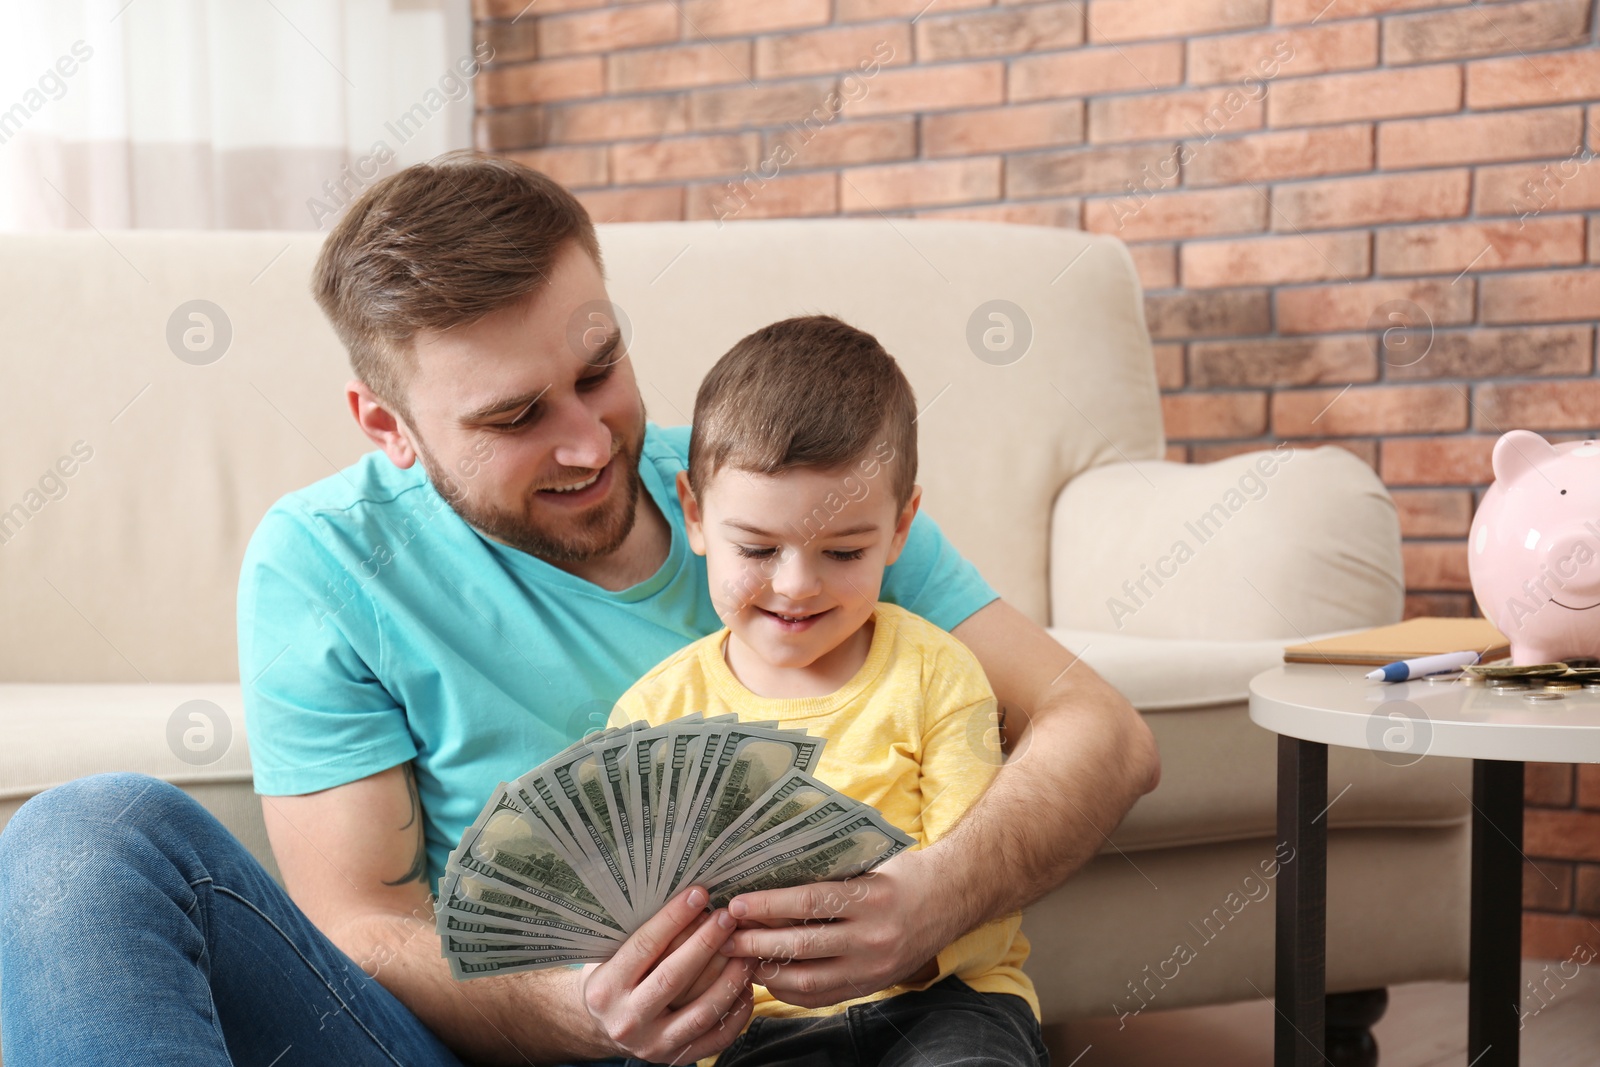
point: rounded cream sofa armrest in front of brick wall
(1266, 545)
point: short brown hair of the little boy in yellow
(806, 393)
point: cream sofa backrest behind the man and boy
(135, 463)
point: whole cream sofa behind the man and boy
(1047, 473)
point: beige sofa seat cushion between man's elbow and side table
(1220, 769)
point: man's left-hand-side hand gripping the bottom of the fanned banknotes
(668, 996)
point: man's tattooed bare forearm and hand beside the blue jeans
(353, 860)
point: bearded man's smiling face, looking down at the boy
(510, 414)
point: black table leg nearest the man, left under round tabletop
(1303, 903)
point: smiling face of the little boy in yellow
(796, 559)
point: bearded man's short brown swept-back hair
(441, 246)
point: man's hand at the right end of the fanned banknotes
(842, 940)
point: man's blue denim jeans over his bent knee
(137, 930)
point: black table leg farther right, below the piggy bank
(1497, 914)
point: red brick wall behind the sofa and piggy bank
(1316, 193)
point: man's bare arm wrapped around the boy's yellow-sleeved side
(1079, 756)
